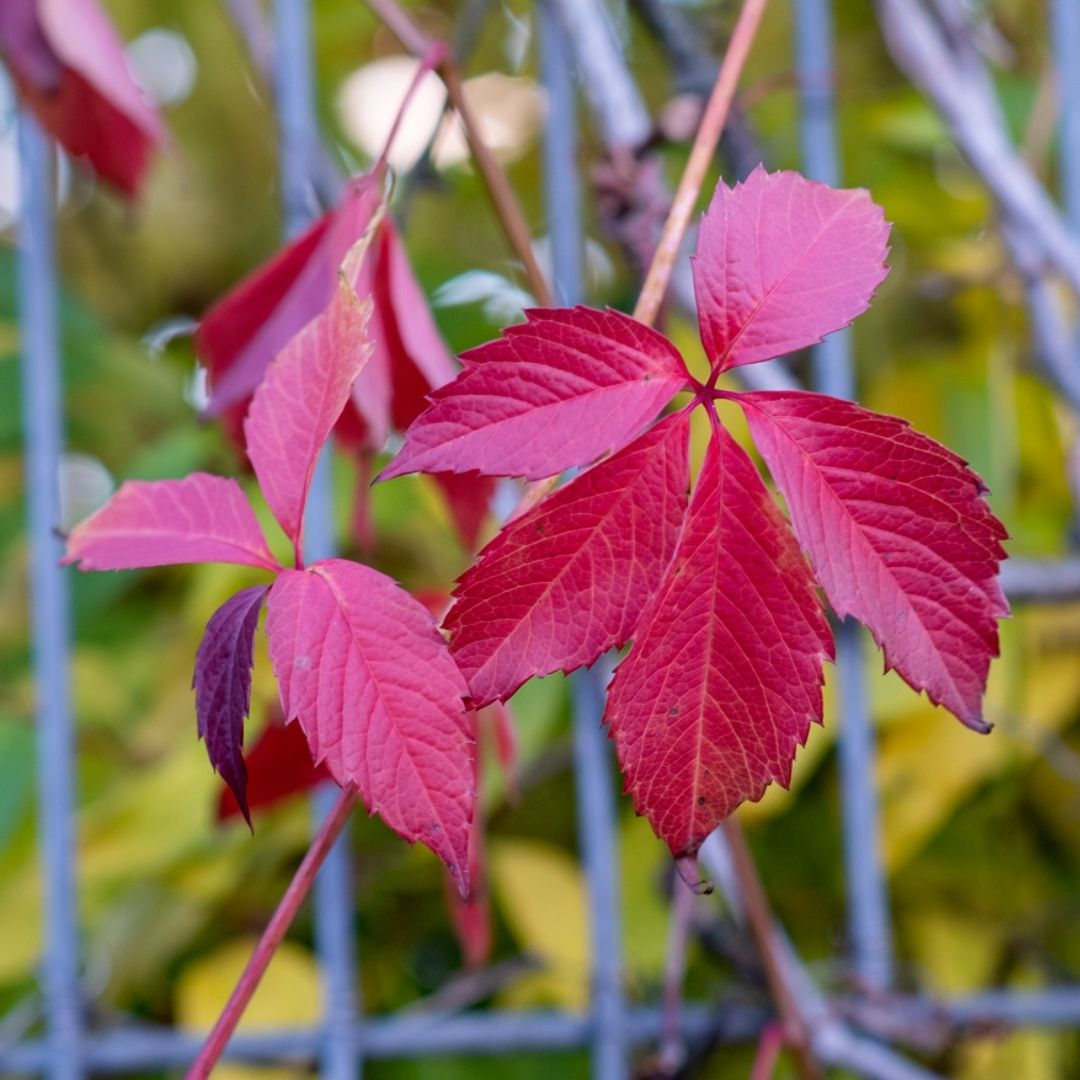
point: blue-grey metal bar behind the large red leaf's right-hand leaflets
(868, 903)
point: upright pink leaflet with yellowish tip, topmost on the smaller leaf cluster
(299, 403)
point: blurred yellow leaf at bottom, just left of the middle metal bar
(543, 897)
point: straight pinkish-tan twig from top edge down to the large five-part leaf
(701, 155)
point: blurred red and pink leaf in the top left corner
(71, 70)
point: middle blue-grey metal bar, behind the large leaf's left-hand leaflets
(598, 827)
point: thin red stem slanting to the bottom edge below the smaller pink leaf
(283, 916)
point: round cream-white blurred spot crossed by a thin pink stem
(371, 99)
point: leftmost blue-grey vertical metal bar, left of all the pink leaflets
(43, 420)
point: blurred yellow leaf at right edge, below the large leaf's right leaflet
(929, 762)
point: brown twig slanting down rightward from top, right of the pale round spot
(507, 208)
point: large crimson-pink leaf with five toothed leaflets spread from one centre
(724, 677)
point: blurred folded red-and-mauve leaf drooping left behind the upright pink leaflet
(242, 333)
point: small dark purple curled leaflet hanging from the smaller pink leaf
(223, 685)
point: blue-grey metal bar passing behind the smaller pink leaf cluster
(335, 940)
